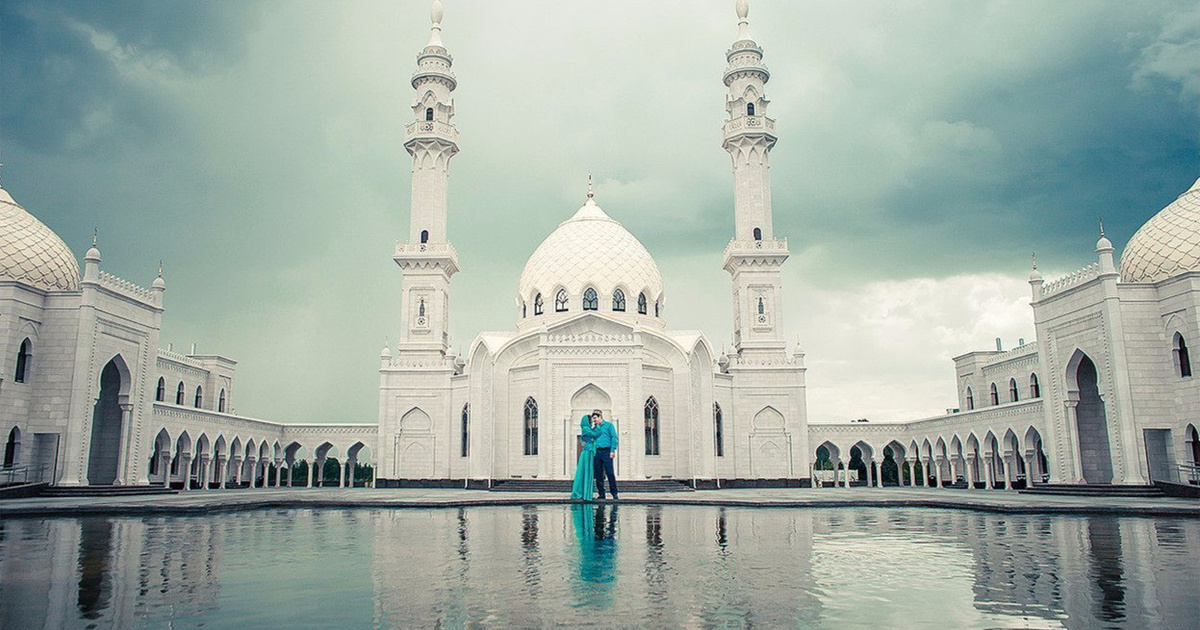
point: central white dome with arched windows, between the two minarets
(591, 250)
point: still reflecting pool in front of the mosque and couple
(632, 566)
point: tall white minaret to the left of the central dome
(428, 260)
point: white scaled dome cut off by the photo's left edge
(32, 253)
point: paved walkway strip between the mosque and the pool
(203, 502)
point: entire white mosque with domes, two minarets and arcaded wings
(1106, 395)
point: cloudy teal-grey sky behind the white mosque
(927, 149)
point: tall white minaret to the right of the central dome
(754, 257)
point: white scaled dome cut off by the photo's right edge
(1168, 245)
